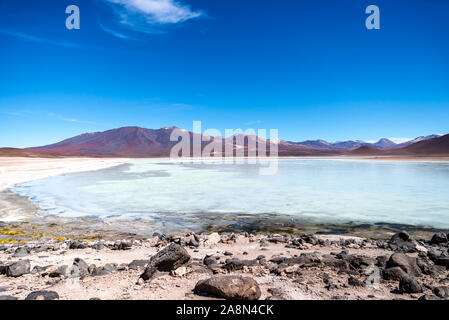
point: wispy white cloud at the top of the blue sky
(150, 16)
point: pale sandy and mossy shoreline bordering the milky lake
(16, 210)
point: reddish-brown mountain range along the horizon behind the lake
(140, 142)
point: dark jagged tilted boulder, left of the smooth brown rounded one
(169, 258)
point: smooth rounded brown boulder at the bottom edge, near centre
(230, 287)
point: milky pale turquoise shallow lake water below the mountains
(180, 195)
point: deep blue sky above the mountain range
(309, 68)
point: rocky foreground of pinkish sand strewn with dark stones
(227, 266)
